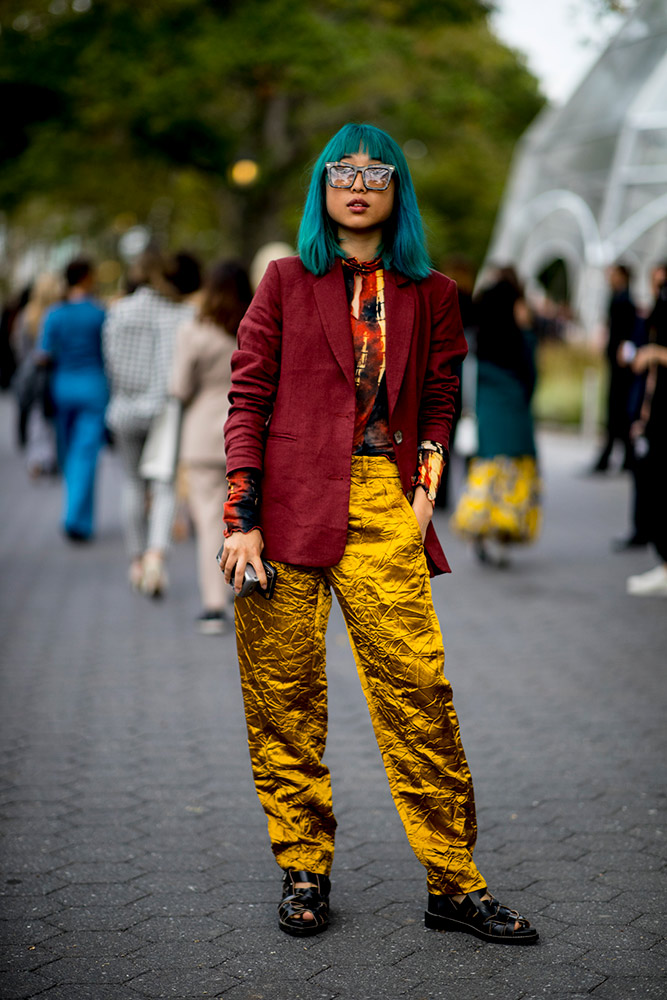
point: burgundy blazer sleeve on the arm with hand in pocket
(448, 348)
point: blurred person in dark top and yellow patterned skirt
(500, 505)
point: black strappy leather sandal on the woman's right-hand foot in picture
(485, 918)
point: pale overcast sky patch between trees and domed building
(560, 38)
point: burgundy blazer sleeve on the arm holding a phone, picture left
(255, 372)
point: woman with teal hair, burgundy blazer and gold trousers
(340, 409)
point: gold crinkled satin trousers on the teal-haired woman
(383, 587)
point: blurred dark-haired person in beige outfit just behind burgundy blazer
(201, 380)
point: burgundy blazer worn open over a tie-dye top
(292, 401)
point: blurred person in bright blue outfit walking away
(71, 345)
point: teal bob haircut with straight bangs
(403, 243)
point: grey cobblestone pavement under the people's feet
(135, 861)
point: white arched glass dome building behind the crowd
(589, 181)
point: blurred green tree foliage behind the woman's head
(118, 109)
